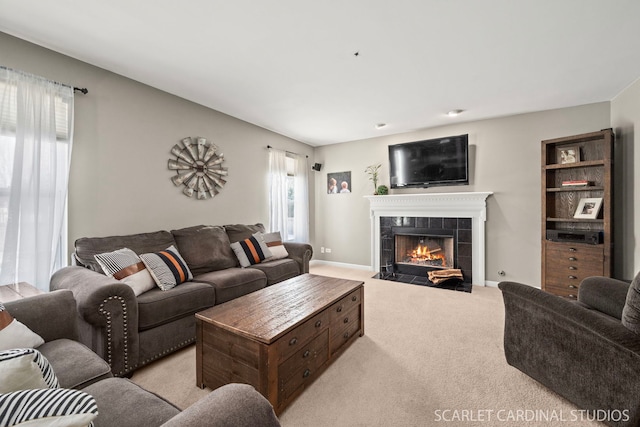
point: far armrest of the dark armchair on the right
(604, 294)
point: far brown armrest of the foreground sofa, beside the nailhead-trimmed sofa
(52, 315)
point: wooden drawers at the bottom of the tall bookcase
(567, 264)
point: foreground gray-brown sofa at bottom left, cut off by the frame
(120, 402)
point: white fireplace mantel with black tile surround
(467, 210)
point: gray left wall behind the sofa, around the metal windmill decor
(124, 132)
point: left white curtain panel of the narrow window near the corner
(278, 204)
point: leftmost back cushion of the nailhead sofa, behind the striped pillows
(87, 247)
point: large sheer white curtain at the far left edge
(36, 127)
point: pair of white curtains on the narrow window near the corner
(289, 195)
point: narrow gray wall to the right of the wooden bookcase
(625, 116)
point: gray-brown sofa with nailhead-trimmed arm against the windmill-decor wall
(130, 332)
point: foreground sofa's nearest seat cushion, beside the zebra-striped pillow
(123, 403)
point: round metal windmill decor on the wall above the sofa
(198, 167)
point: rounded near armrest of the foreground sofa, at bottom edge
(238, 405)
